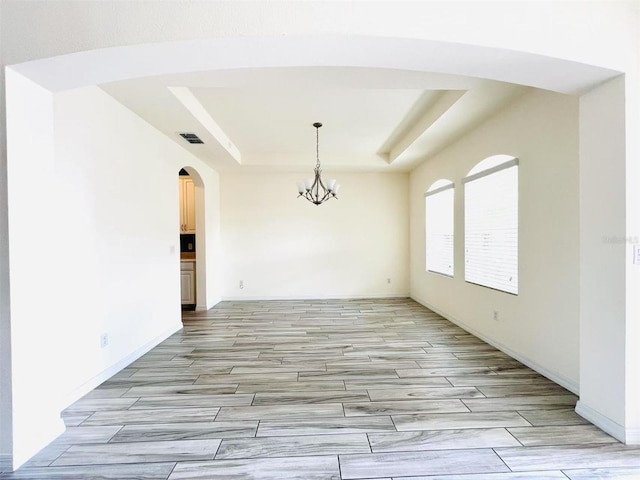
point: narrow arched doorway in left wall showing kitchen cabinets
(193, 243)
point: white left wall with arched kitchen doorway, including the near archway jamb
(94, 247)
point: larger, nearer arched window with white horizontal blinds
(491, 224)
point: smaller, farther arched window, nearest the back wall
(439, 227)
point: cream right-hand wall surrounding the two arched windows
(541, 324)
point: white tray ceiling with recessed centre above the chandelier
(373, 119)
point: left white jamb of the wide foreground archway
(35, 355)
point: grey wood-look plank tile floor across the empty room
(328, 390)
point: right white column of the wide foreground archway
(608, 308)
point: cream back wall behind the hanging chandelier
(281, 246)
